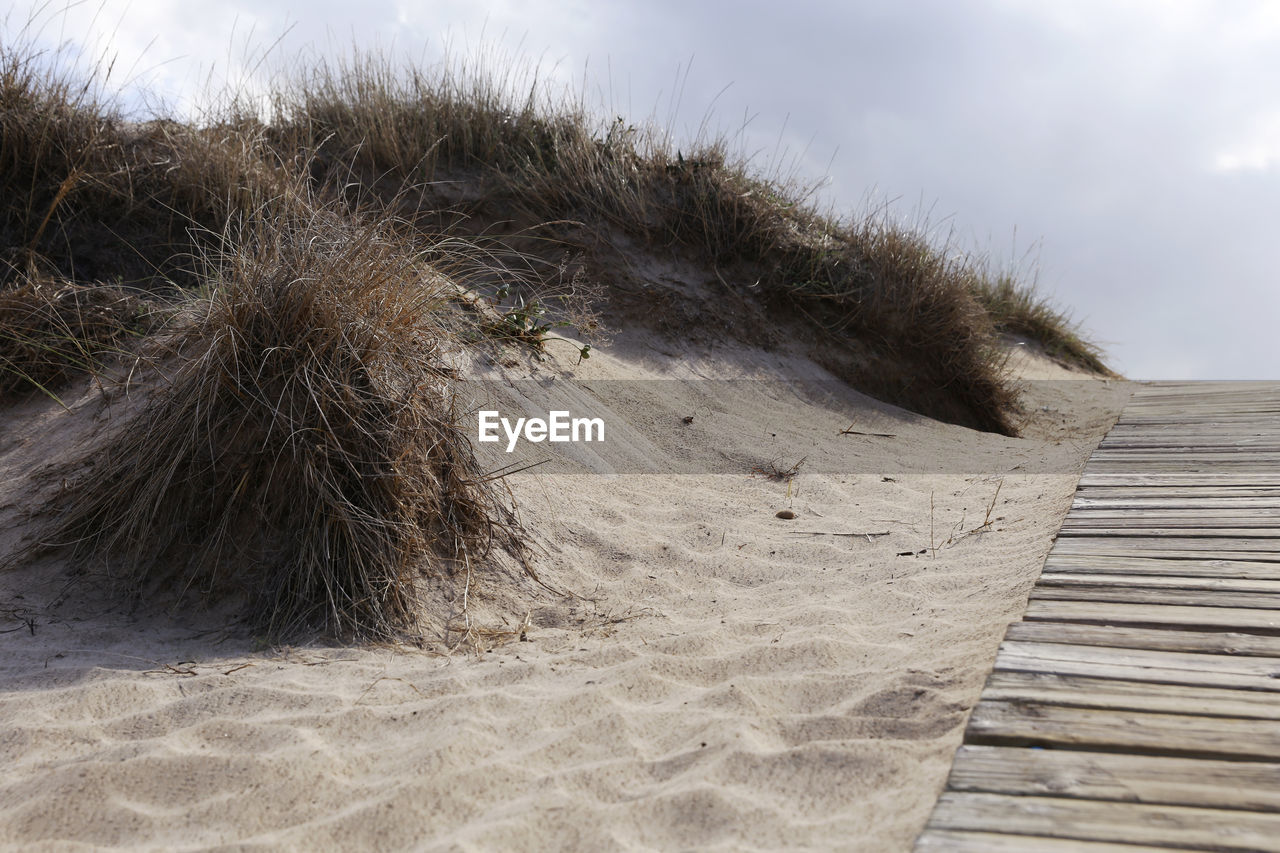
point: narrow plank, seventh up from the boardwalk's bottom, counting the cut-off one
(1150, 638)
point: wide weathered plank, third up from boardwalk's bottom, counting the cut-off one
(1100, 776)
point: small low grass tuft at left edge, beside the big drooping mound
(52, 331)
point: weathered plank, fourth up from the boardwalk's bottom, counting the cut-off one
(1030, 724)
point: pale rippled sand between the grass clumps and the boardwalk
(720, 678)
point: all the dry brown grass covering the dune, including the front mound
(299, 445)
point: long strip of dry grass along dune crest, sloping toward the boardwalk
(934, 316)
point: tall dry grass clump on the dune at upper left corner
(89, 195)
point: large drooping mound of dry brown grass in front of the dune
(304, 453)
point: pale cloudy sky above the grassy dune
(1124, 154)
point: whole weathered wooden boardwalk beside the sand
(1137, 705)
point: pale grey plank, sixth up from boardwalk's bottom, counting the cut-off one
(1238, 673)
